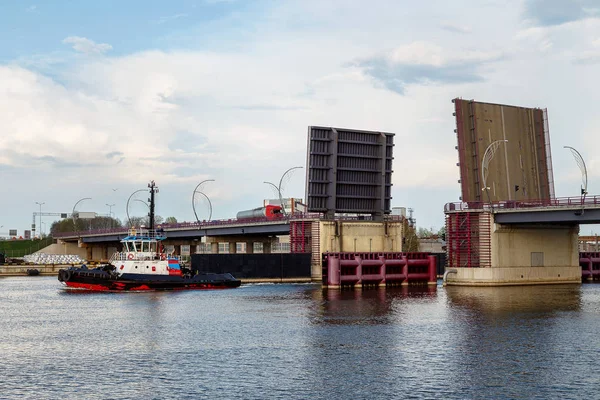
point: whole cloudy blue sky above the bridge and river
(99, 98)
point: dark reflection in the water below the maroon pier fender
(361, 342)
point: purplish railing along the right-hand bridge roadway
(521, 204)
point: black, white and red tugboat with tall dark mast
(144, 265)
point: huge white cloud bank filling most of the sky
(239, 115)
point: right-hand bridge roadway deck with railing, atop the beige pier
(565, 210)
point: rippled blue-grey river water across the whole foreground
(299, 342)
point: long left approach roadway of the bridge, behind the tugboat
(190, 230)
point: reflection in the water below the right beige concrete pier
(507, 338)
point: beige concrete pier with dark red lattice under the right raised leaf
(482, 252)
